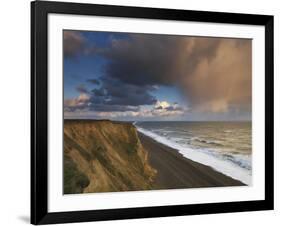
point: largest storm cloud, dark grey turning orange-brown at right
(214, 73)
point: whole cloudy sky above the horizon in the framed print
(154, 77)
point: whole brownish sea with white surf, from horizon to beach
(224, 146)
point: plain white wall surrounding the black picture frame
(15, 113)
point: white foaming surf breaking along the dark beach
(234, 166)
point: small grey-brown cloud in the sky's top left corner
(73, 43)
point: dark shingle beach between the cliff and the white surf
(175, 171)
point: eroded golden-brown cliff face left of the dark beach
(104, 156)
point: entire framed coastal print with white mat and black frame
(144, 112)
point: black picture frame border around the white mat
(39, 112)
